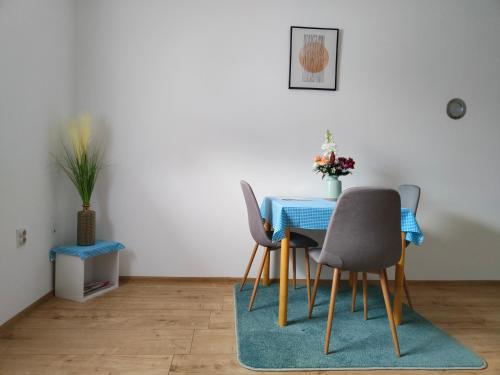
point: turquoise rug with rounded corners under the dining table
(355, 343)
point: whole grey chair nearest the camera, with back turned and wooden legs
(364, 235)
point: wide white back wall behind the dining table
(194, 97)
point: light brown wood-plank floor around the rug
(187, 327)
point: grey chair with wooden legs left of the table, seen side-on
(264, 239)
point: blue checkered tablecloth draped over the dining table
(315, 213)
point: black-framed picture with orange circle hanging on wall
(313, 58)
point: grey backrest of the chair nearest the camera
(364, 233)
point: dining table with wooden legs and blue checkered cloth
(281, 214)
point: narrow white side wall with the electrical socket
(36, 77)
